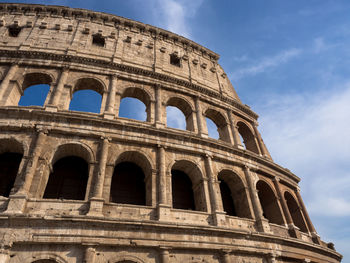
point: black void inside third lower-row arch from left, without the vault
(128, 184)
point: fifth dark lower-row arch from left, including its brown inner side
(237, 191)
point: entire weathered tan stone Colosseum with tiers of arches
(100, 188)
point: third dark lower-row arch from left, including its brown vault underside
(137, 166)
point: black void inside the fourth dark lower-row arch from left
(182, 192)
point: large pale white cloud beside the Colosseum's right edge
(310, 135)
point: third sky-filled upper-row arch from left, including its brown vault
(135, 104)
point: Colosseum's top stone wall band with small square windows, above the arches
(64, 30)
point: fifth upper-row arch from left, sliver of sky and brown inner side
(220, 123)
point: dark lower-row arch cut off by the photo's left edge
(11, 154)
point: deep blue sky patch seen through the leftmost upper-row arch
(34, 95)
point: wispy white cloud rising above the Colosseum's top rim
(175, 14)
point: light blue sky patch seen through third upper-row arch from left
(132, 108)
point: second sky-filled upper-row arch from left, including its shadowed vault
(87, 96)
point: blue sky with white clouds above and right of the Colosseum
(289, 61)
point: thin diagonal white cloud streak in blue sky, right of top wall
(266, 63)
